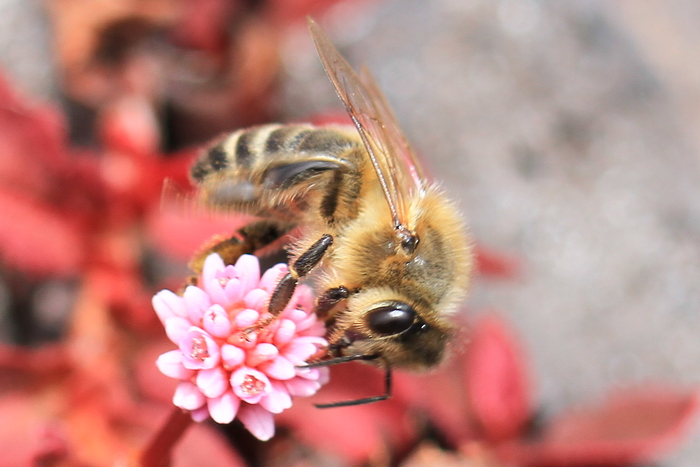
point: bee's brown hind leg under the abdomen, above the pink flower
(246, 240)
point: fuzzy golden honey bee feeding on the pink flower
(388, 250)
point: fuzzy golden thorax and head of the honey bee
(431, 280)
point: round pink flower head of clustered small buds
(234, 359)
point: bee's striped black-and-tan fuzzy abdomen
(284, 171)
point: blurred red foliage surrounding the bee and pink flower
(96, 397)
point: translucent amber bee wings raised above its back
(390, 154)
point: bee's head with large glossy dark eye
(395, 333)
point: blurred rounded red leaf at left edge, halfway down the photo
(36, 239)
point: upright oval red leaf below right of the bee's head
(497, 380)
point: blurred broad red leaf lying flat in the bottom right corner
(630, 427)
